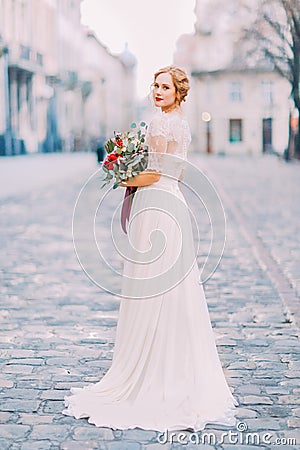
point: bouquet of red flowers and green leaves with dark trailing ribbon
(127, 157)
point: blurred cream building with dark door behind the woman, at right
(237, 104)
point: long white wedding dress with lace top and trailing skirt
(166, 373)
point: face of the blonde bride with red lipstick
(164, 92)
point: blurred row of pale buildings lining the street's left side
(60, 88)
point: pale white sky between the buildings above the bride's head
(150, 27)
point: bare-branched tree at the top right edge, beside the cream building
(275, 36)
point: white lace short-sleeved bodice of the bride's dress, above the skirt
(168, 138)
